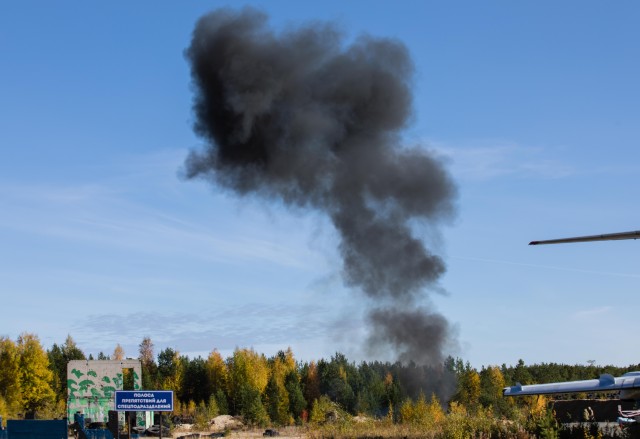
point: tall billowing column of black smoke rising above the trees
(302, 118)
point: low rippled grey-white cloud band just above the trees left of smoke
(223, 328)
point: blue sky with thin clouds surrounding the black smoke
(534, 106)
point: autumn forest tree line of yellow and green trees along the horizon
(278, 390)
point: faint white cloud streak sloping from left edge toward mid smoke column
(115, 213)
